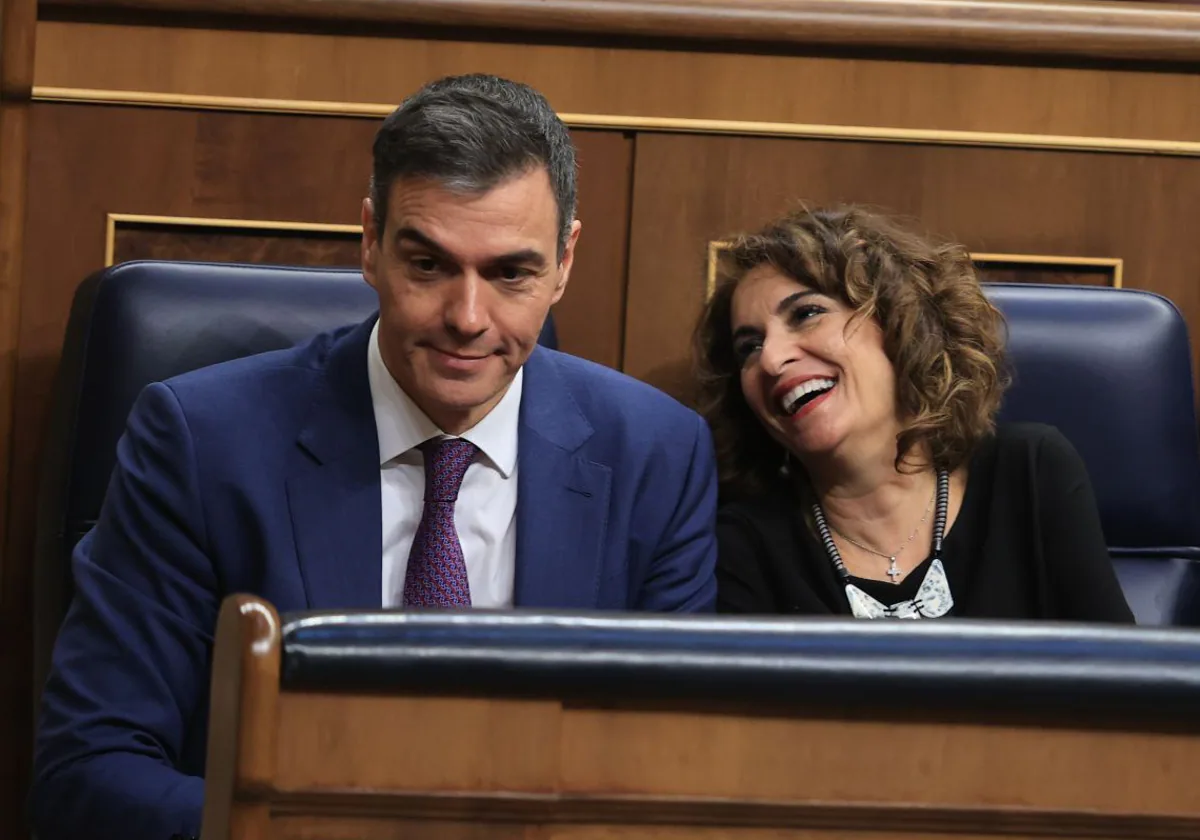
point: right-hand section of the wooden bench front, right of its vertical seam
(740, 757)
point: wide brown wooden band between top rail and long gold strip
(614, 80)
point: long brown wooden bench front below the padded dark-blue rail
(447, 747)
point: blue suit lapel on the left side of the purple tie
(334, 490)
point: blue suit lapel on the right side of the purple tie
(562, 497)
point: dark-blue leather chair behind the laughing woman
(1113, 370)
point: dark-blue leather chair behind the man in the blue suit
(143, 322)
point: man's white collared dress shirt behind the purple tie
(485, 514)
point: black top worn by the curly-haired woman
(1027, 544)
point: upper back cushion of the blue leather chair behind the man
(149, 321)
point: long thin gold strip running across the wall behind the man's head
(651, 124)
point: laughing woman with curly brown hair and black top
(851, 374)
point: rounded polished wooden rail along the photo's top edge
(1058, 28)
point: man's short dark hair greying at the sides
(470, 134)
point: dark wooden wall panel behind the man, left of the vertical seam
(89, 161)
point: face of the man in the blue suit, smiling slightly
(465, 284)
